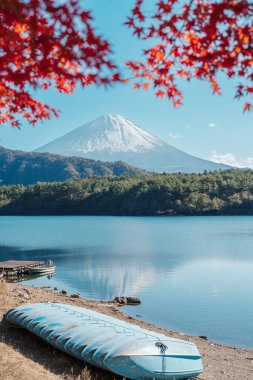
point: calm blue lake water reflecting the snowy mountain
(193, 274)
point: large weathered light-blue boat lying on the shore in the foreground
(109, 343)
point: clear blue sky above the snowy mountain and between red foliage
(208, 126)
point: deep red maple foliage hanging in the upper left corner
(45, 43)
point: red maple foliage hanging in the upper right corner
(194, 39)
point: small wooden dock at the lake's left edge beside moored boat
(14, 268)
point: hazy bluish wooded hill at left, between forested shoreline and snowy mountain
(17, 167)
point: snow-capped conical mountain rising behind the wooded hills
(115, 138)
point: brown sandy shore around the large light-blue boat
(24, 356)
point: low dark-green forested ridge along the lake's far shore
(225, 192)
